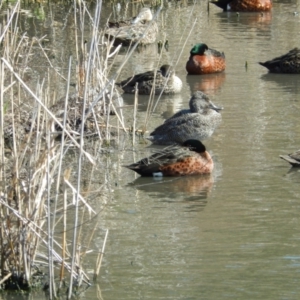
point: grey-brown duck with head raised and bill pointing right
(199, 122)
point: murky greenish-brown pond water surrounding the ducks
(233, 235)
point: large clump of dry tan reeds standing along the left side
(37, 234)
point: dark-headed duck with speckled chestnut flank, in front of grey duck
(190, 158)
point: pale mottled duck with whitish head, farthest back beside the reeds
(142, 29)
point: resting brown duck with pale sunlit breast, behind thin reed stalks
(163, 81)
